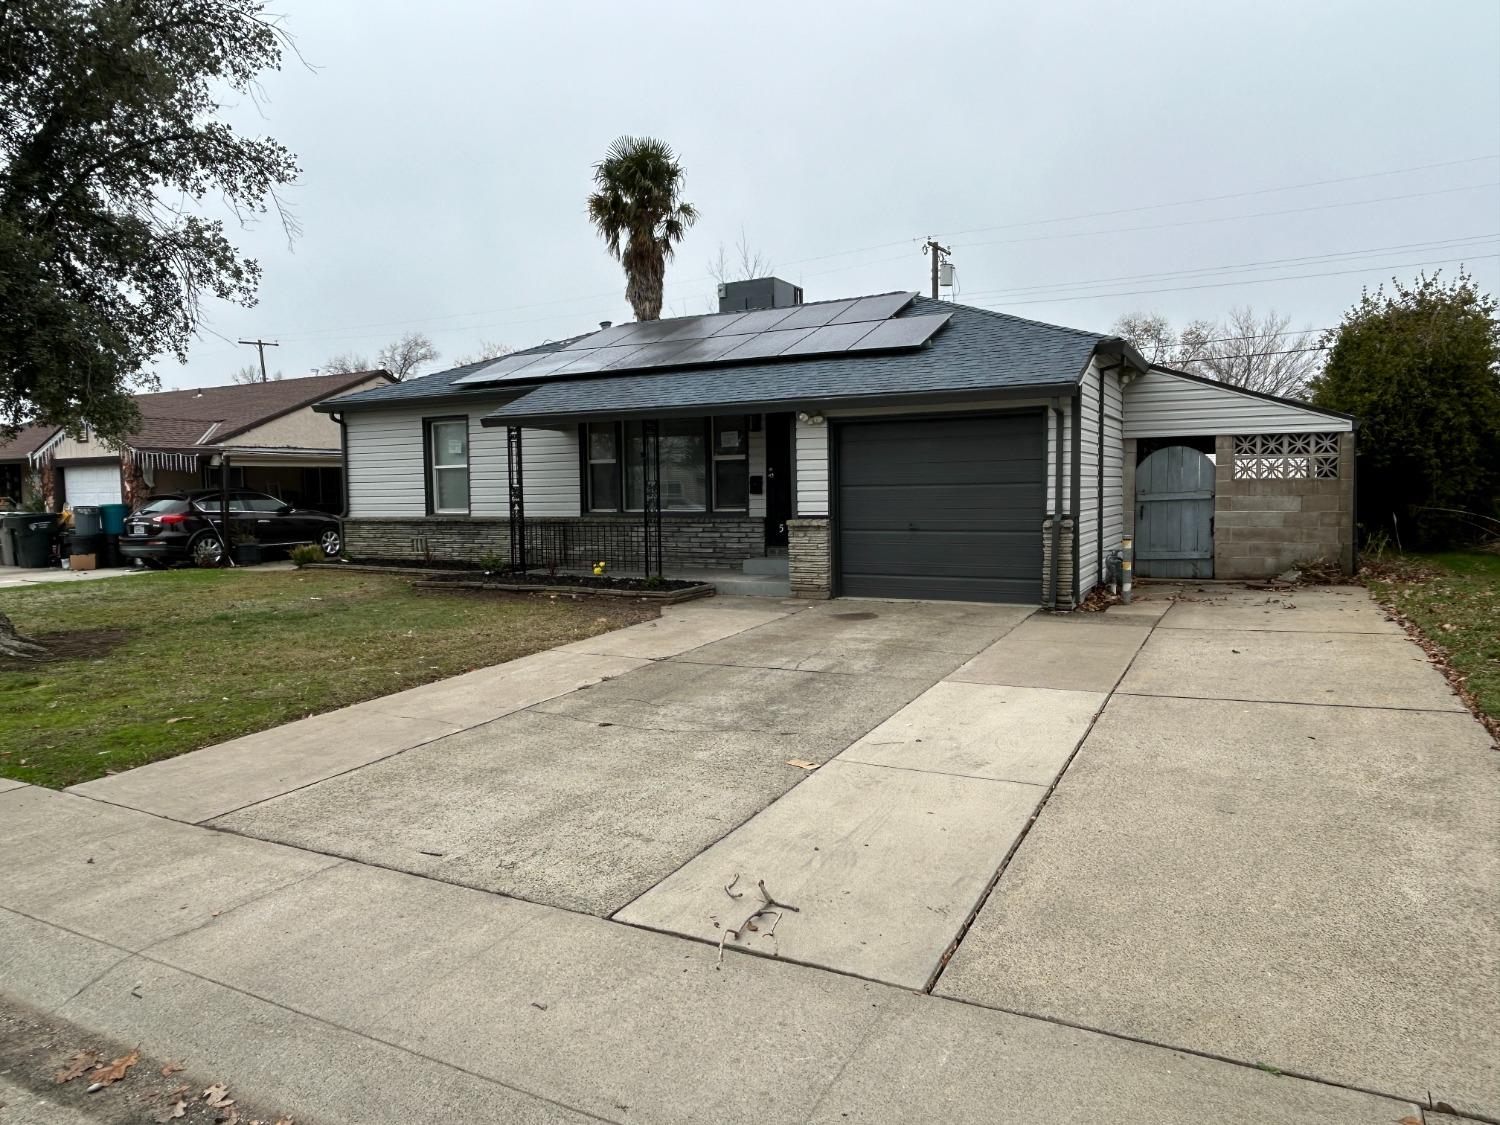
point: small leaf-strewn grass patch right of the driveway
(1454, 598)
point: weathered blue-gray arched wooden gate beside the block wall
(1175, 514)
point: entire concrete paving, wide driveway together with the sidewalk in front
(1123, 866)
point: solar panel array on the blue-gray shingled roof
(802, 331)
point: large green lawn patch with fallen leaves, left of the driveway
(164, 664)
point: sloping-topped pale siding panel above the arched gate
(1165, 406)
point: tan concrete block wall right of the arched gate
(1264, 527)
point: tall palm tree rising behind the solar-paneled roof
(638, 208)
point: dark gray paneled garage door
(943, 509)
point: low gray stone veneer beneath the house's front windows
(686, 541)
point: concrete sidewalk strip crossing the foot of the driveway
(367, 997)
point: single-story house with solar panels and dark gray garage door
(887, 446)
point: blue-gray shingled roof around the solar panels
(979, 352)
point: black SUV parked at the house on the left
(184, 527)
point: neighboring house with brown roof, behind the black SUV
(269, 434)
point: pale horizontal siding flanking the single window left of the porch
(388, 475)
